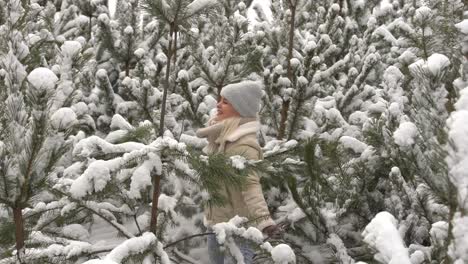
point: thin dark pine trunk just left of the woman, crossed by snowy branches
(157, 178)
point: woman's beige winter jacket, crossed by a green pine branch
(247, 201)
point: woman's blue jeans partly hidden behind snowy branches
(219, 257)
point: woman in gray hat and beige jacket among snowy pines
(233, 132)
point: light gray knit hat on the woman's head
(244, 97)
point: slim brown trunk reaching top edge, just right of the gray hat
(285, 106)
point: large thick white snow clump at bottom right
(382, 234)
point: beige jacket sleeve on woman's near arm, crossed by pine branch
(252, 191)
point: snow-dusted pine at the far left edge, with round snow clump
(31, 147)
